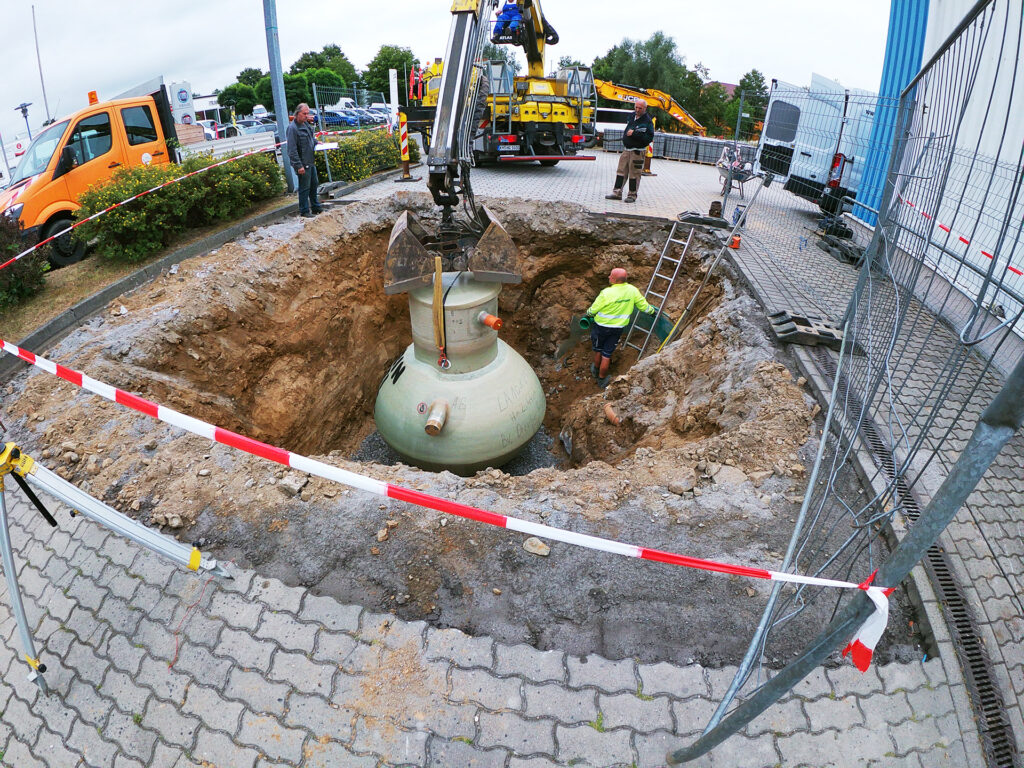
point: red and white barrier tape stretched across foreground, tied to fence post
(864, 644)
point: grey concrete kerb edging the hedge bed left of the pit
(46, 336)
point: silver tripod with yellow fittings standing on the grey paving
(25, 471)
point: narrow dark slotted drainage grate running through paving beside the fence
(996, 732)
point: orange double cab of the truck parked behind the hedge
(73, 154)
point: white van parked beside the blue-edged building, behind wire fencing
(818, 140)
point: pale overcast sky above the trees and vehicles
(112, 46)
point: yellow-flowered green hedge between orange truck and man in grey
(133, 232)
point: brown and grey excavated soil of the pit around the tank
(284, 336)
